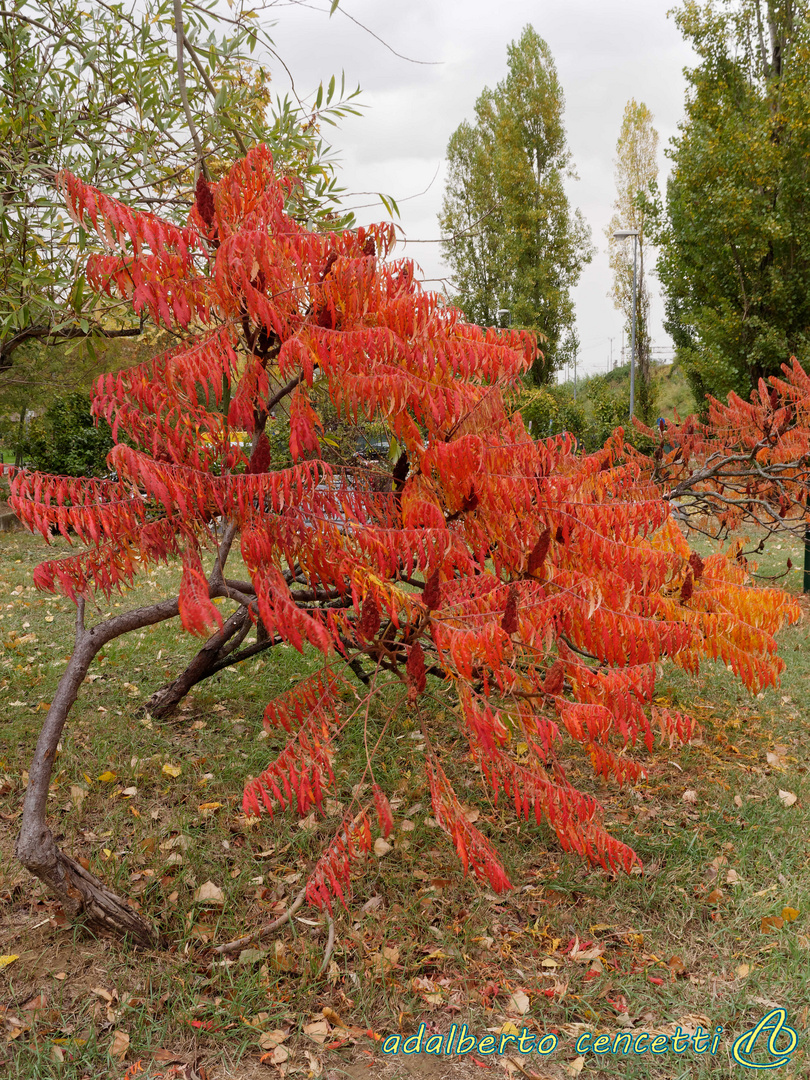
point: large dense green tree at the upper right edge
(736, 236)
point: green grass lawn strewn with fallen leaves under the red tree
(673, 943)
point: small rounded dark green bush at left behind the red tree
(66, 441)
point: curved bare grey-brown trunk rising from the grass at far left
(78, 890)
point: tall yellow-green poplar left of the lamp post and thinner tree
(514, 242)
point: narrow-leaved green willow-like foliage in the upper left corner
(97, 88)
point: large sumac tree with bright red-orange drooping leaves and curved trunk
(533, 589)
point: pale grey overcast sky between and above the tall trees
(606, 52)
